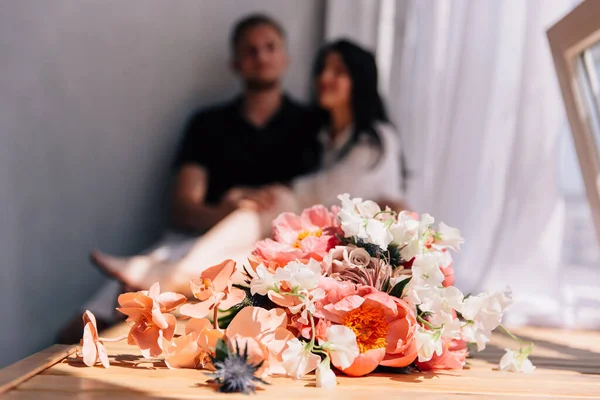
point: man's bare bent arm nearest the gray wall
(190, 210)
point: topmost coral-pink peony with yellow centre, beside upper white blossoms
(310, 235)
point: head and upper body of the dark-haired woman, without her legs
(361, 149)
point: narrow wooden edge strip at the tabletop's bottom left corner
(20, 371)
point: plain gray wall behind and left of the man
(93, 95)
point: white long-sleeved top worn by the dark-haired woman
(366, 171)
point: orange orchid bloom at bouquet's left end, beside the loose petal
(148, 311)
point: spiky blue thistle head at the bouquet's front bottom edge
(233, 371)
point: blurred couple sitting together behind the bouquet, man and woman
(244, 162)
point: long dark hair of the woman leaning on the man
(367, 105)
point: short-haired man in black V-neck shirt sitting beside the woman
(232, 154)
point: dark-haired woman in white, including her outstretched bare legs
(360, 155)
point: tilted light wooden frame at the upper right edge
(568, 38)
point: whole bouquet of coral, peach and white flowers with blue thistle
(352, 288)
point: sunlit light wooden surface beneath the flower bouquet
(568, 366)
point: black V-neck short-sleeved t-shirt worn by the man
(236, 153)
